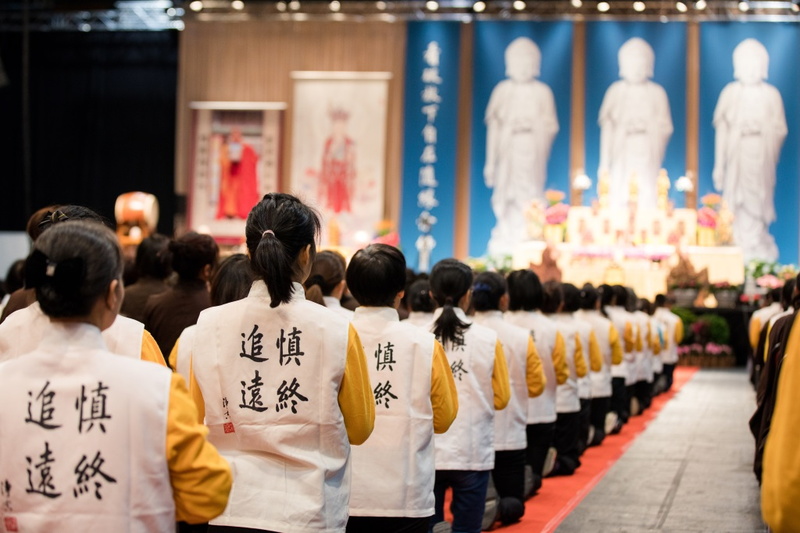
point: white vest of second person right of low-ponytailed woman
(542, 409)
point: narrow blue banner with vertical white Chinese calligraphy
(429, 142)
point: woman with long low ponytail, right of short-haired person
(465, 454)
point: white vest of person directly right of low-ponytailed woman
(510, 423)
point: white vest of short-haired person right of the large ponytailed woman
(393, 472)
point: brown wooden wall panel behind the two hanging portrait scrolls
(253, 61)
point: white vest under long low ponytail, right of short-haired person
(469, 443)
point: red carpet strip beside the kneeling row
(559, 496)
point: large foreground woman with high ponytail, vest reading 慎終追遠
(285, 384)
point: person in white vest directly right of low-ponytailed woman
(526, 376)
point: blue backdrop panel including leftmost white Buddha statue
(515, 132)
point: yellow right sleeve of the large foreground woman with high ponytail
(355, 395)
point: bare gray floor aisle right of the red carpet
(690, 470)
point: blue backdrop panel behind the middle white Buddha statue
(668, 43)
